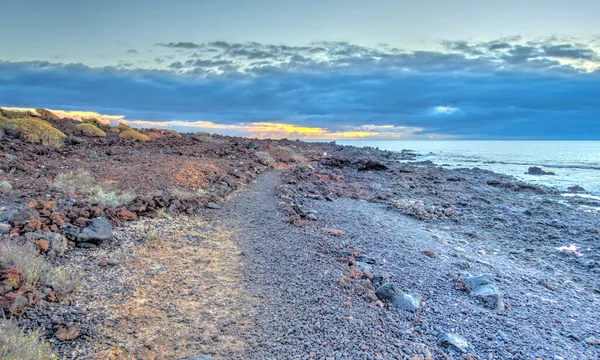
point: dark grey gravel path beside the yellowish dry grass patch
(303, 311)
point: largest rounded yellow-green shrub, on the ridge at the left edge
(33, 130)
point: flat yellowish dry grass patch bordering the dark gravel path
(197, 291)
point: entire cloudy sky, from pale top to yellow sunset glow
(327, 69)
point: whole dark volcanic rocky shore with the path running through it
(198, 246)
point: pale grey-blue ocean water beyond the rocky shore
(573, 162)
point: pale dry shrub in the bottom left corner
(18, 345)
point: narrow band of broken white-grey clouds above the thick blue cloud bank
(508, 54)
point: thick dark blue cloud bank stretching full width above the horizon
(489, 102)
